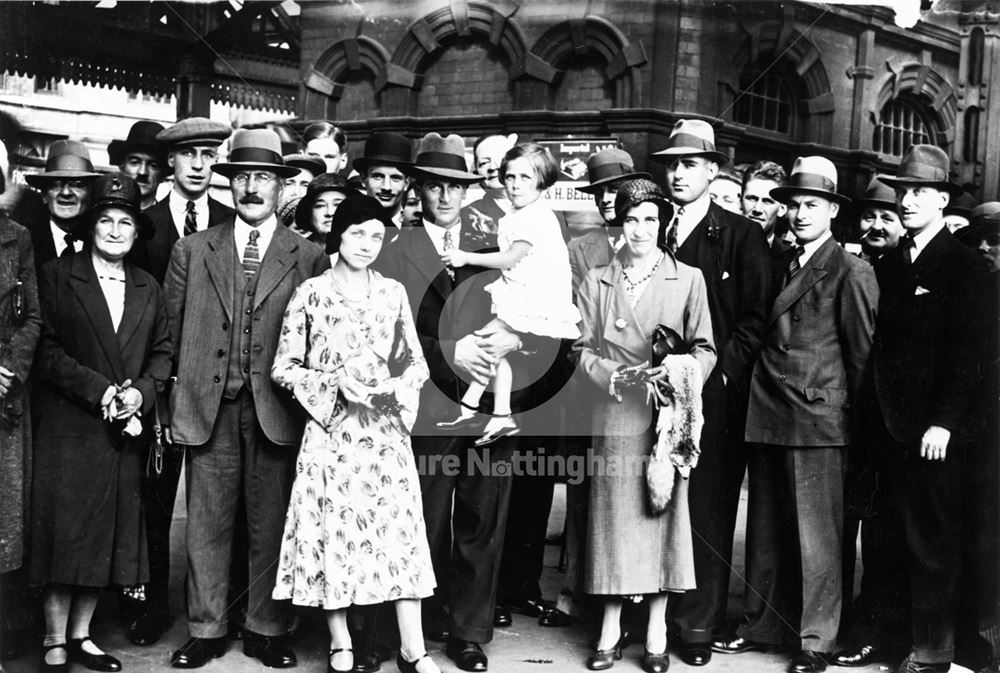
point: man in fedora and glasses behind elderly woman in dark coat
(65, 186)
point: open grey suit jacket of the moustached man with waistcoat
(200, 305)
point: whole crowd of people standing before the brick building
(300, 354)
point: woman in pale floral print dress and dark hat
(349, 354)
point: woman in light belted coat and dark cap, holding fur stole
(632, 551)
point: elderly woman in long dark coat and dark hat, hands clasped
(104, 354)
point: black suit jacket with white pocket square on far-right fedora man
(928, 339)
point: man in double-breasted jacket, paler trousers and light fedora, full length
(800, 420)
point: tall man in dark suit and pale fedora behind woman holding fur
(731, 253)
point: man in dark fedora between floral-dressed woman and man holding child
(383, 167)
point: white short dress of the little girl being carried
(535, 296)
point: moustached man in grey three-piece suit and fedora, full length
(226, 289)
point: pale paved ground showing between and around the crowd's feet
(523, 648)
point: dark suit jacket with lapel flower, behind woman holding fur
(737, 272)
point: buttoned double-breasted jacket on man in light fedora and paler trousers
(816, 350)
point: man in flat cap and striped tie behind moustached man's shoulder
(192, 147)
